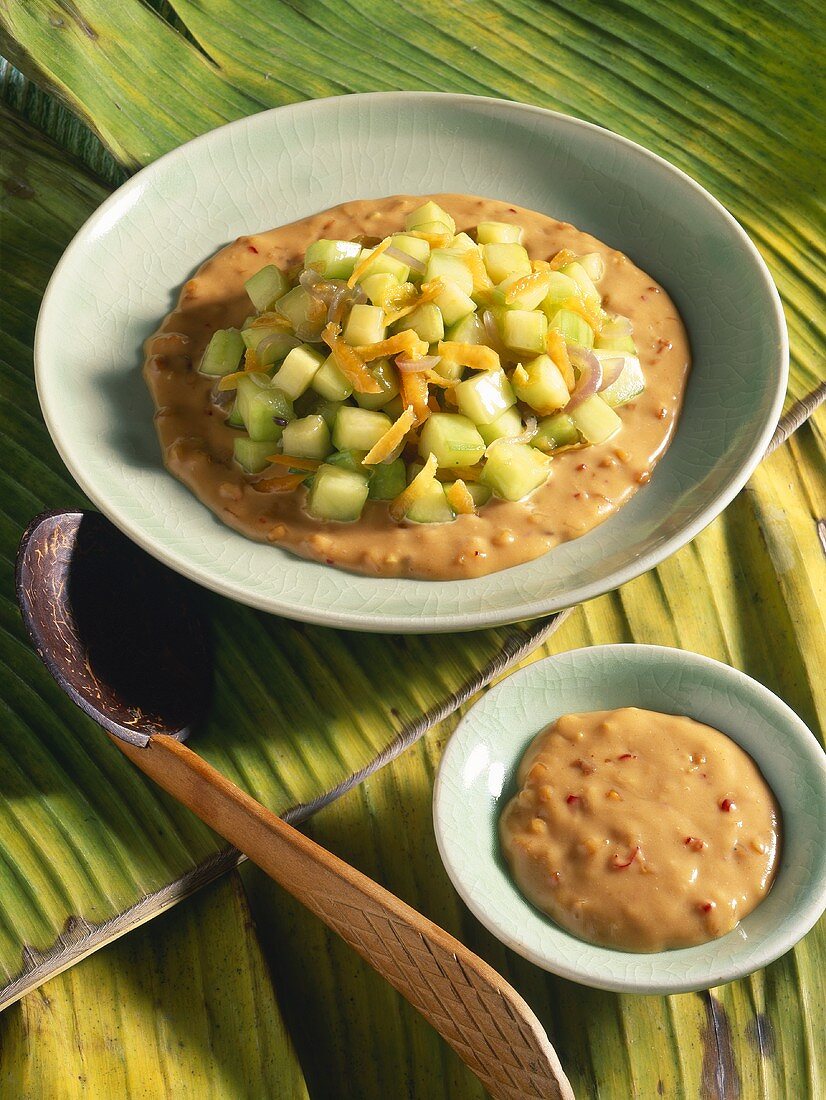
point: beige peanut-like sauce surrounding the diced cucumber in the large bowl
(586, 487)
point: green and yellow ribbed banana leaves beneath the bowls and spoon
(238, 993)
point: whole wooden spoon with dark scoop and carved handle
(122, 635)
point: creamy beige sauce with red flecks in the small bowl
(641, 831)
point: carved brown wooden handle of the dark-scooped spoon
(486, 1021)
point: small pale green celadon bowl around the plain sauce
(477, 778)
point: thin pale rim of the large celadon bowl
(438, 622)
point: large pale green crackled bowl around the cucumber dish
(124, 271)
